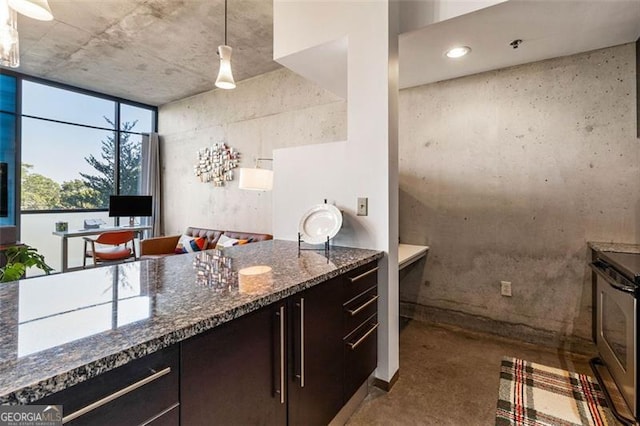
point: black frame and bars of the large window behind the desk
(118, 132)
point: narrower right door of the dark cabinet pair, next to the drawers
(316, 374)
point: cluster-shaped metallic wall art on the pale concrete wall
(216, 164)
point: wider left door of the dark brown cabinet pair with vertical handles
(231, 374)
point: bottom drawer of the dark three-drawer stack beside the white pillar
(361, 355)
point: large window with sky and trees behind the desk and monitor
(78, 149)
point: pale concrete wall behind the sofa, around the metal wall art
(274, 110)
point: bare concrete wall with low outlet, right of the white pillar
(507, 175)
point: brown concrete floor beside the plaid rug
(449, 376)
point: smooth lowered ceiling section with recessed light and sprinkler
(547, 28)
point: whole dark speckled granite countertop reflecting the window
(62, 329)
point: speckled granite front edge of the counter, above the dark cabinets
(58, 382)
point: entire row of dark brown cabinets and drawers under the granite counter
(296, 362)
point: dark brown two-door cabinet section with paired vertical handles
(280, 365)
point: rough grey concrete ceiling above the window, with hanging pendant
(150, 51)
